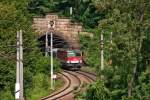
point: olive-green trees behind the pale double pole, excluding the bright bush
(14, 16)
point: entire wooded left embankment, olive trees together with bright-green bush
(14, 15)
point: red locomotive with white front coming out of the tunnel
(71, 59)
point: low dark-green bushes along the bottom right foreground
(102, 91)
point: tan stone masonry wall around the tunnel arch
(63, 27)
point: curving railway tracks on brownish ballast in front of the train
(73, 81)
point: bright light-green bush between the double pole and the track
(40, 87)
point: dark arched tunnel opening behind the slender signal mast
(58, 42)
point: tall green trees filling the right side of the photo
(128, 20)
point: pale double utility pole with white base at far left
(19, 68)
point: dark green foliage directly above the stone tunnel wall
(83, 10)
